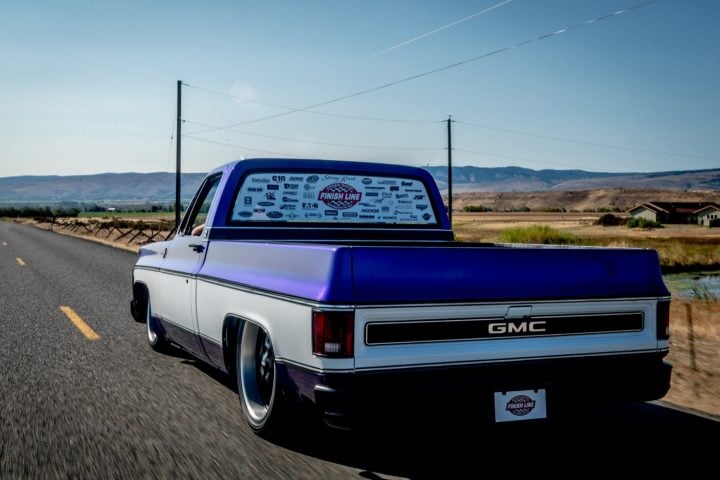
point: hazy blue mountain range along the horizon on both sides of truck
(160, 187)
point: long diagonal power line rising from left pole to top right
(446, 67)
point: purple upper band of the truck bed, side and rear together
(380, 273)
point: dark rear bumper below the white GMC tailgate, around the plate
(571, 384)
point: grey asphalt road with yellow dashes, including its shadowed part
(109, 407)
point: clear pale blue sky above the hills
(90, 86)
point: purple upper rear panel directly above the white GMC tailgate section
(406, 274)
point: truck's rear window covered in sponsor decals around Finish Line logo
(332, 198)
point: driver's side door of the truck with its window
(184, 256)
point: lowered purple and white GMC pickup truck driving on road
(340, 286)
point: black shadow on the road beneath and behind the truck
(643, 437)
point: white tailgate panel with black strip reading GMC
(396, 337)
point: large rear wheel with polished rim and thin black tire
(260, 397)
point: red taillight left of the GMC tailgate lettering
(333, 333)
